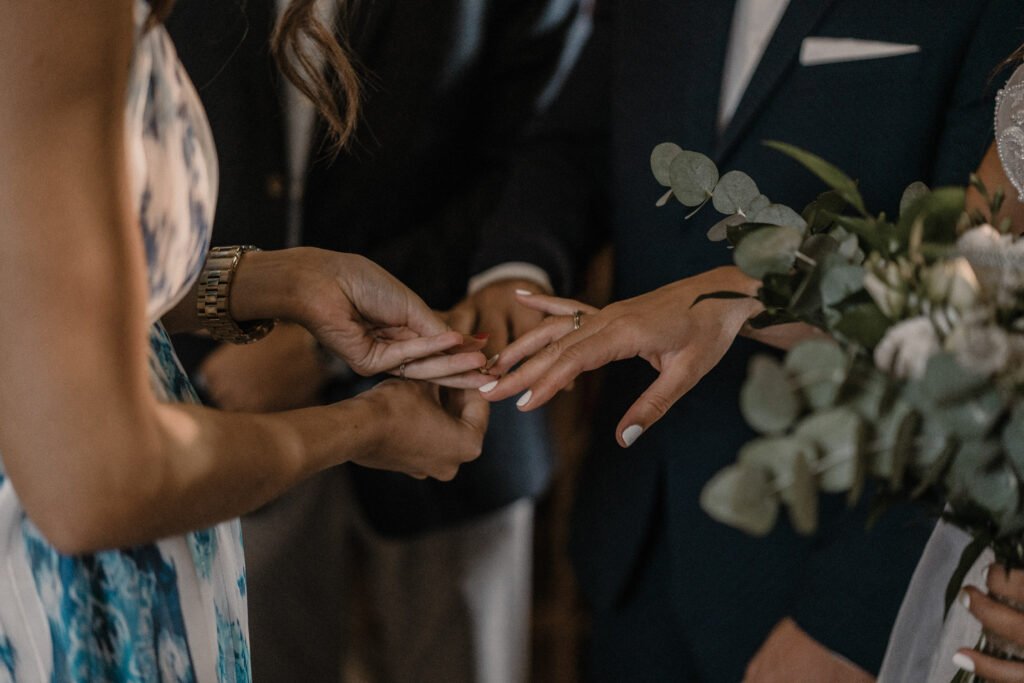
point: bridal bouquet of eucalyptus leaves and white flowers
(918, 383)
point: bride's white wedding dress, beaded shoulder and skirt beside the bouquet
(924, 641)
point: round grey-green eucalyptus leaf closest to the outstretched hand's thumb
(769, 401)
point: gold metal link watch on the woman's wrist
(215, 296)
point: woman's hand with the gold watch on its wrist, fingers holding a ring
(358, 312)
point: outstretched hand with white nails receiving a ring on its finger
(682, 341)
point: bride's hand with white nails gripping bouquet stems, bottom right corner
(999, 619)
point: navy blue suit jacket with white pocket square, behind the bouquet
(653, 73)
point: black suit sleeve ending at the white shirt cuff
(550, 211)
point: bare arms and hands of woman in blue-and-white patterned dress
(97, 460)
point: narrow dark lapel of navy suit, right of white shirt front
(780, 58)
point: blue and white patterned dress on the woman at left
(173, 611)
